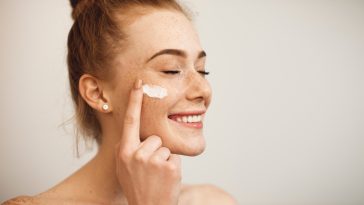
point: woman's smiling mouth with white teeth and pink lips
(191, 119)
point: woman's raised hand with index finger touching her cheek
(147, 172)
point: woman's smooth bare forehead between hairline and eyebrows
(161, 29)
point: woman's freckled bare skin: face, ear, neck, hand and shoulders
(141, 146)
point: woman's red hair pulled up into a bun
(94, 40)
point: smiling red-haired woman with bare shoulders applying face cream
(114, 48)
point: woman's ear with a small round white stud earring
(91, 90)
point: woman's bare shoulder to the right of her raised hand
(205, 194)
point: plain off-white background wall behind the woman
(286, 125)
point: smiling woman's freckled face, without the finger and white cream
(189, 93)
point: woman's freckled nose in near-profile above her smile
(199, 89)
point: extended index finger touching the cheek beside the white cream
(130, 134)
